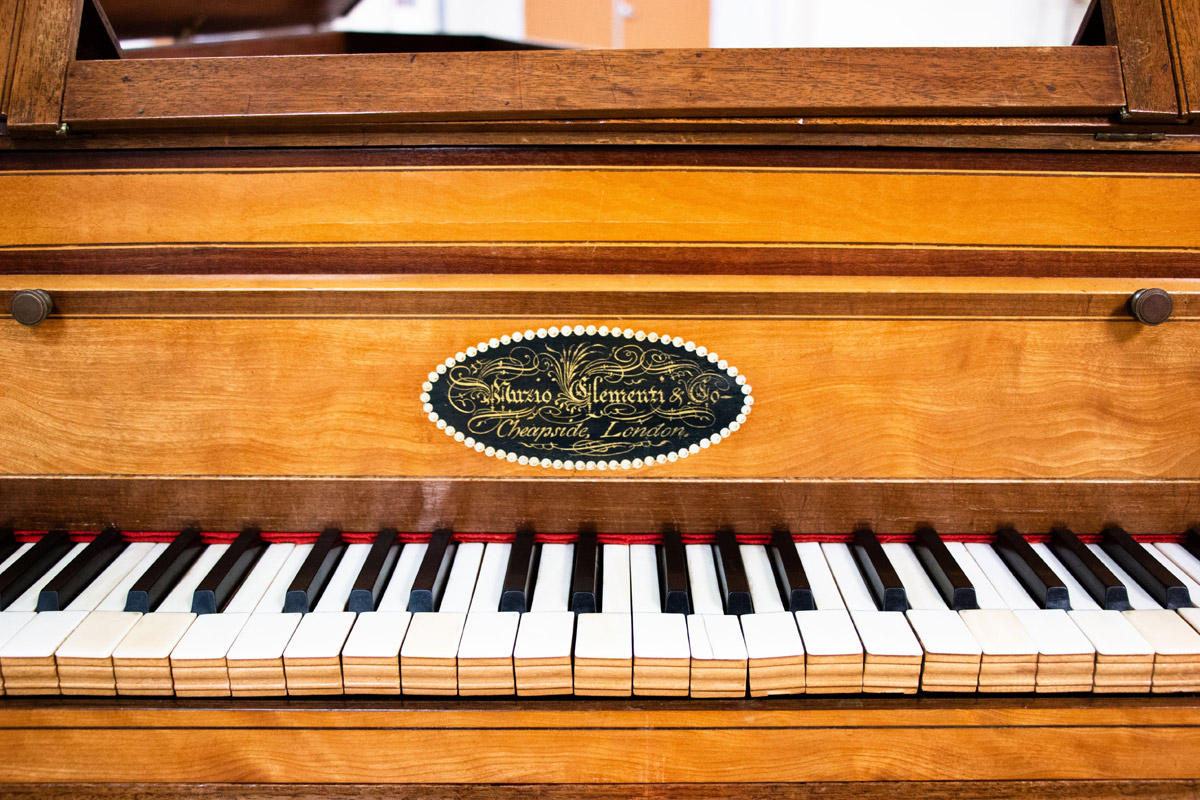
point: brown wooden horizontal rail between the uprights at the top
(232, 93)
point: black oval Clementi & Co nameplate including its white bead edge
(587, 399)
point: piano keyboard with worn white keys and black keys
(256, 616)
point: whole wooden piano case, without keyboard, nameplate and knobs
(247, 304)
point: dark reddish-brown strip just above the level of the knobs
(596, 258)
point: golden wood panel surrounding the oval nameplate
(853, 398)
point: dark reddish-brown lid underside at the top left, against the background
(149, 19)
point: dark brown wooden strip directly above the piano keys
(613, 506)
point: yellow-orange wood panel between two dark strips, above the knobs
(801, 208)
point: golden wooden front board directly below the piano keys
(619, 742)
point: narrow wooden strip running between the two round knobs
(559, 296)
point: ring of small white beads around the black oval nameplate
(591, 330)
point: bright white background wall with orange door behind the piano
(734, 23)
